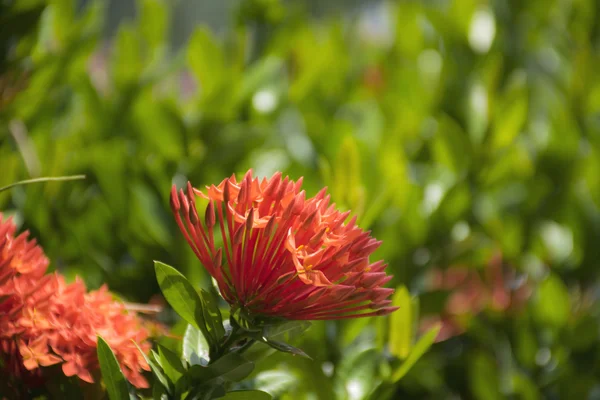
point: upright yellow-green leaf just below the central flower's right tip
(401, 324)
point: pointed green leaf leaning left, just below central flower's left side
(181, 295)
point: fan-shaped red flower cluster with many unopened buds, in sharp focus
(286, 256)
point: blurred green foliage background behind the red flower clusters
(464, 133)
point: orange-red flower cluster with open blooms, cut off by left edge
(45, 321)
